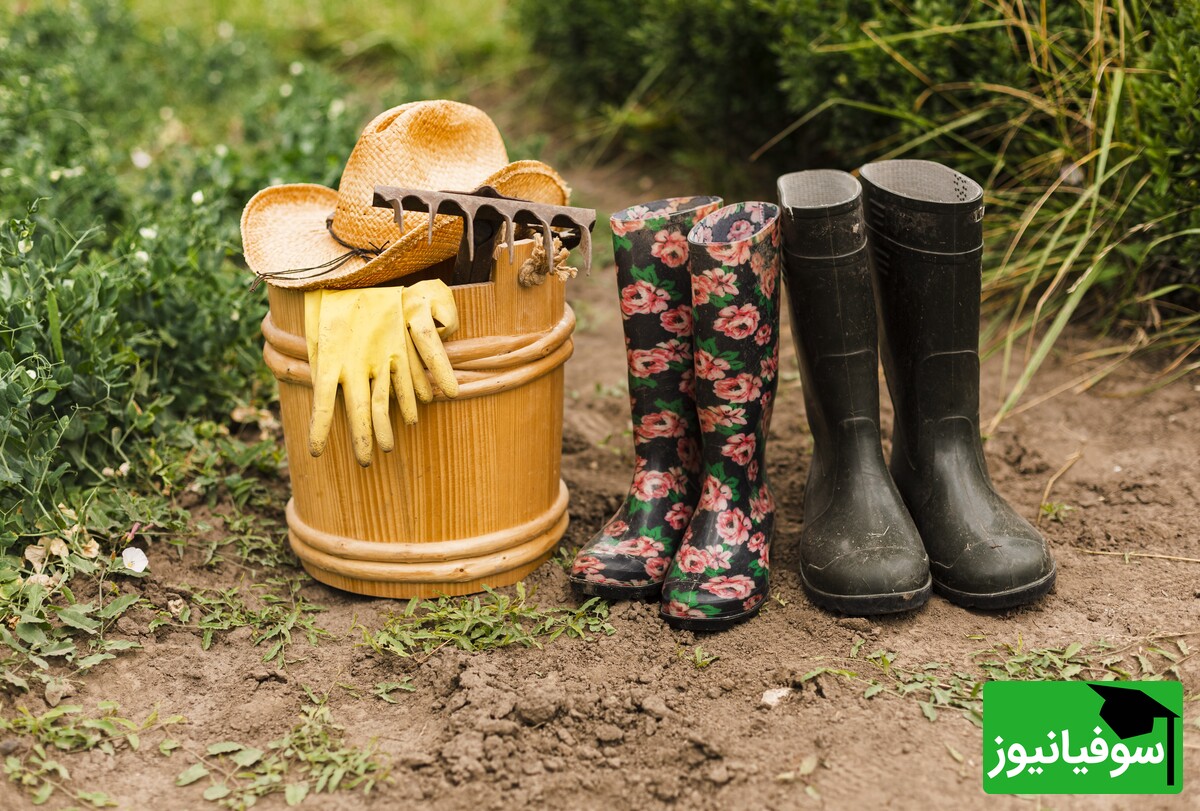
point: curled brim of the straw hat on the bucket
(284, 232)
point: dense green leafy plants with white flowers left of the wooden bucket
(127, 337)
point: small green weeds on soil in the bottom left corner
(67, 730)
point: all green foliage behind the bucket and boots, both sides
(133, 134)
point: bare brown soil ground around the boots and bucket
(628, 720)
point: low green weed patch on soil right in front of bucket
(484, 623)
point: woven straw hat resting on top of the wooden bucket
(307, 237)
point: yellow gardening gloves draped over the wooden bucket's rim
(358, 340)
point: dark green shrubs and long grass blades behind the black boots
(1079, 118)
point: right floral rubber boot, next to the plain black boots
(721, 573)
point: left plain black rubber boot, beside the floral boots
(860, 551)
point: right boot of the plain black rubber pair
(926, 232)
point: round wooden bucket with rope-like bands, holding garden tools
(472, 495)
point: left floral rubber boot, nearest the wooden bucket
(629, 557)
